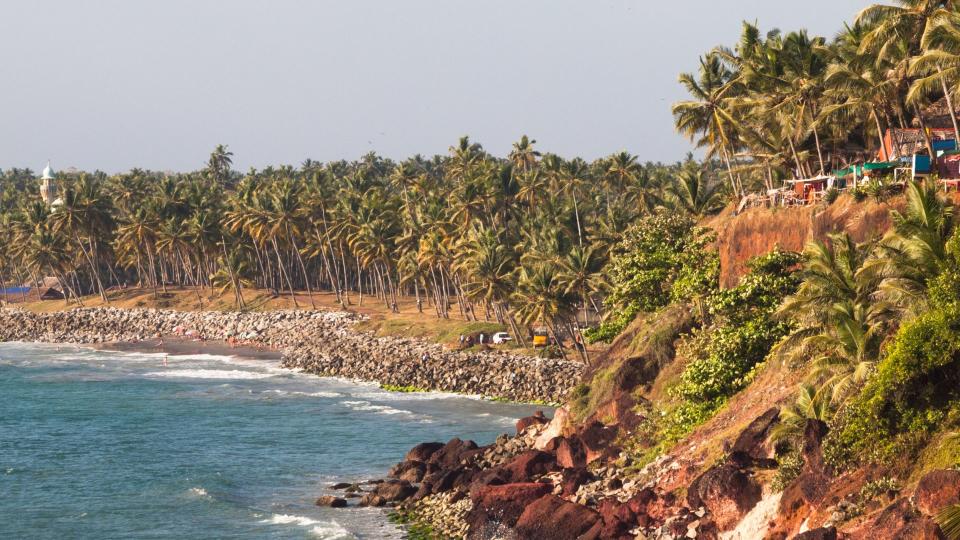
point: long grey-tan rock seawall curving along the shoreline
(318, 342)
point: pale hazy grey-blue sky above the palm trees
(117, 84)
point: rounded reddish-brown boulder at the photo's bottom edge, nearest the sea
(552, 518)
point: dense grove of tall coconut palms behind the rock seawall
(521, 240)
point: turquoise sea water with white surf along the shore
(102, 445)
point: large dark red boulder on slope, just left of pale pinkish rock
(727, 492)
